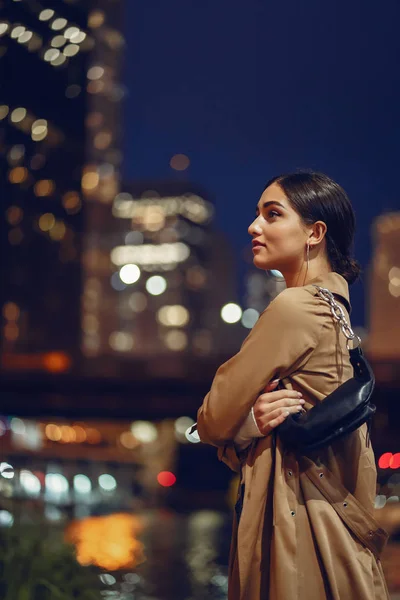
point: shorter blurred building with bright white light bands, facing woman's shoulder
(166, 274)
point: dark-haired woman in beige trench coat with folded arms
(292, 542)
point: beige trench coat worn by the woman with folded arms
(306, 531)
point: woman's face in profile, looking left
(279, 235)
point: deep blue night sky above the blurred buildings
(251, 89)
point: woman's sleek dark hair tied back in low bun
(316, 197)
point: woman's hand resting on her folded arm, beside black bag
(272, 408)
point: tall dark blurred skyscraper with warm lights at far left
(59, 147)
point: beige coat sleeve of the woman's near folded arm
(280, 342)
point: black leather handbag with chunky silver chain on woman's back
(342, 411)
